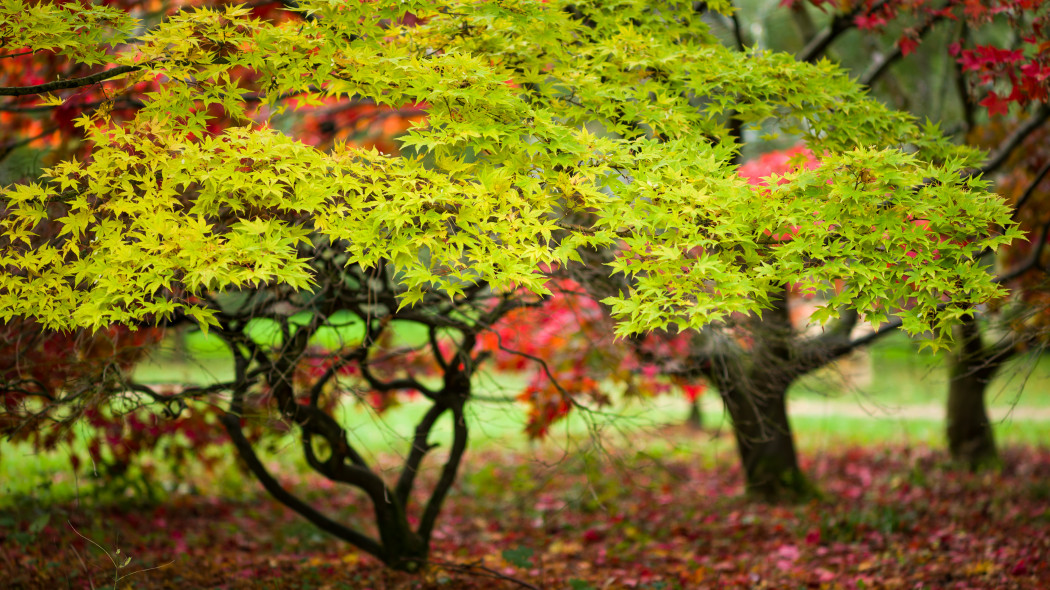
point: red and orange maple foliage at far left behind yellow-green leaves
(36, 134)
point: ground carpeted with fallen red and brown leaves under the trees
(892, 518)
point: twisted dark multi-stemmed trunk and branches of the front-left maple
(304, 387)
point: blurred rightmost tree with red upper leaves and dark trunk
(981, 70)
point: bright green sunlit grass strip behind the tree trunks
(900, 405)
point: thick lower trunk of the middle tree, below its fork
(766, 444)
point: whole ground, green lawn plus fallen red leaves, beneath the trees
(646, 504)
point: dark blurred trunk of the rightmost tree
(971, 369)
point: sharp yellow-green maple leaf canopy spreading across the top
(552, 128)
